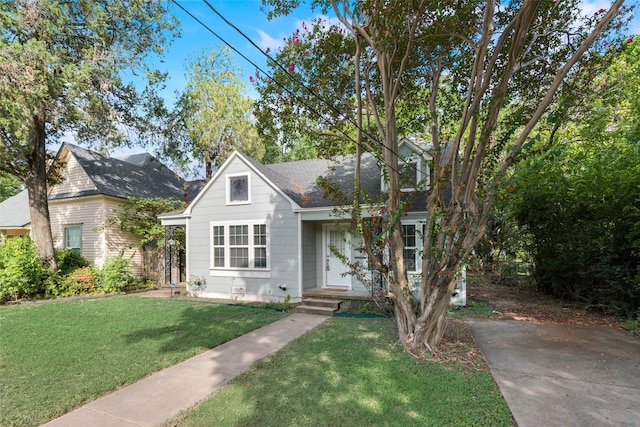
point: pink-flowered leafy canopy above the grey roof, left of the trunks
(290, 129)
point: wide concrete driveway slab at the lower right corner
(563, 375)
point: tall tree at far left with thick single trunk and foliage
(62, 72)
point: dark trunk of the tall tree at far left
(36, 182)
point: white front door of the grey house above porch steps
(334, 268)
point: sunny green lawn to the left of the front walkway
(58, 355)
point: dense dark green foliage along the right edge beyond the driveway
(580, 201)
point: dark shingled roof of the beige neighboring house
(139, 175)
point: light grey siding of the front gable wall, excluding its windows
(282, 230)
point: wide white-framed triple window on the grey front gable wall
(242, 245)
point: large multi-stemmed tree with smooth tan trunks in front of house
(504, 64)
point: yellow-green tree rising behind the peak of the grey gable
(212, 115)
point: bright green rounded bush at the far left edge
(21, 271)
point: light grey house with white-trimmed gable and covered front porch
(264, 232)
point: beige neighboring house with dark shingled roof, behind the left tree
(92, 189)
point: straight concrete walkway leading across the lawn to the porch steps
(164, 394)
